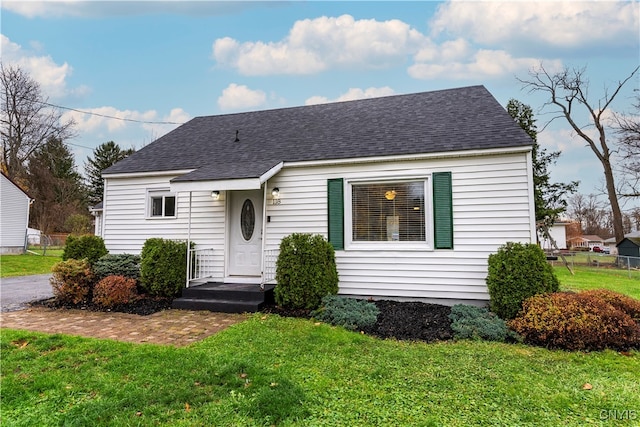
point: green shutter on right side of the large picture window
(442, 211)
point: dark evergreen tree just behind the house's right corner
(550, 198)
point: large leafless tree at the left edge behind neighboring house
(27, 120)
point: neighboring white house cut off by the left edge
(14, 216)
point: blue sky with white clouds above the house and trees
(171, 61)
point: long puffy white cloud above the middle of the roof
(314, 45)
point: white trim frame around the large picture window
(427, 244)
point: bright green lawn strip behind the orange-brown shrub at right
(593, 278)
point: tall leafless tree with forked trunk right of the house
(568, 92)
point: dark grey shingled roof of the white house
(468, 118)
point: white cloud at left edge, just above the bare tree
(51, 77)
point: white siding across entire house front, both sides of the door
(492, 204)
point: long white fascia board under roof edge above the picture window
(423, 156)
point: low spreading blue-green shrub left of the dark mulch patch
(349, 313)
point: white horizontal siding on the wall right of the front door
(492, 205)
